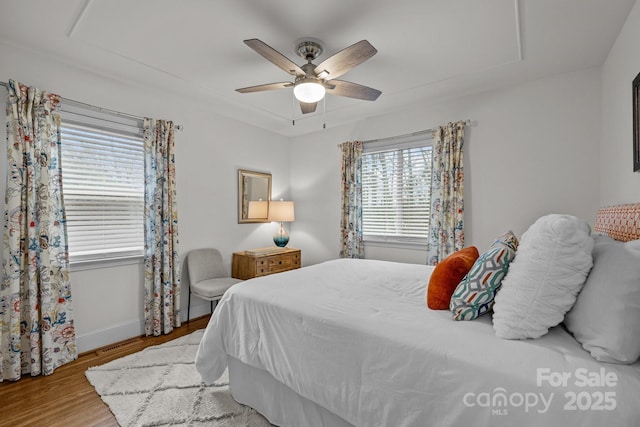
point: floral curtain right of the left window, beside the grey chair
(162, 262)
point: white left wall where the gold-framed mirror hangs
(108, 301)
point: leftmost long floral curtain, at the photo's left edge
(36, 318)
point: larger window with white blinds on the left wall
(102, 183)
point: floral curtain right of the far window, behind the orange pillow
(446, 228)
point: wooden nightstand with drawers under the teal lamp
(261, 262)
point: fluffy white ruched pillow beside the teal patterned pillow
(550, 268)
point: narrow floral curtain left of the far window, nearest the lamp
(351, 244)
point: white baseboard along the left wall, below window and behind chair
(123, 331)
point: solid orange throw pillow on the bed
(446, 276)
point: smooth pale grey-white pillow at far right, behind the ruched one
(606, 316)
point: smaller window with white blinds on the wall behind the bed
(396, 181)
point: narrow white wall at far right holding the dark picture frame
(619, 184)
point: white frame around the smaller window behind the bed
(416, 140)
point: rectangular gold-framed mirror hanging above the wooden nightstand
(254, 193)
